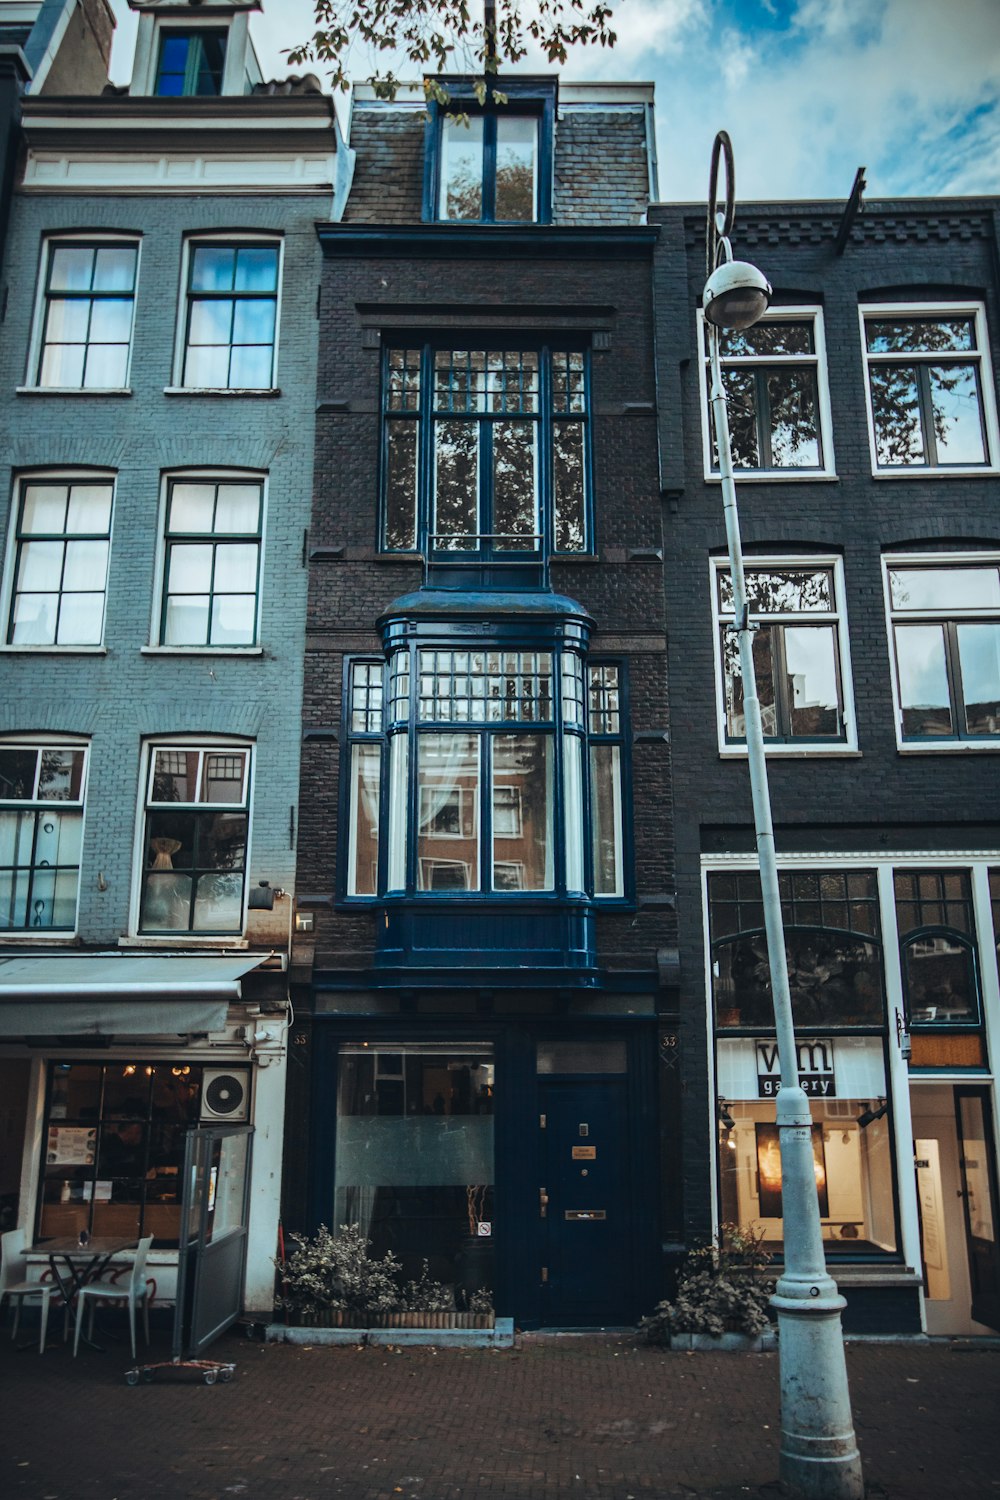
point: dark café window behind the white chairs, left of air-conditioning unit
(115, 1148)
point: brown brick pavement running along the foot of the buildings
(590, 1417)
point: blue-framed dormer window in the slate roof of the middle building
(493, 163)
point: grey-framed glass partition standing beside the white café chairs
(214, 1234)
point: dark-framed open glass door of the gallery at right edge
(980, 1196)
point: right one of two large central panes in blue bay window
(522, 814)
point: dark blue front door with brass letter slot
(585, 1202)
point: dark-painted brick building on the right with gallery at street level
(867, 455)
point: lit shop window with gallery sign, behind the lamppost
(852, 1142)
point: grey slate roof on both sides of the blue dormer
(600, 175)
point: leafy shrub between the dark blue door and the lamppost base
(720, 1291)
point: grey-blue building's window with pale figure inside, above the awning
(196, 838)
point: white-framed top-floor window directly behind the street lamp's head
(777, 397)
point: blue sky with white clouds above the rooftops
(807, 89)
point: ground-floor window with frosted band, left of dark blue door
(415, 1157)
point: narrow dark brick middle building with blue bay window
(485, 946)
